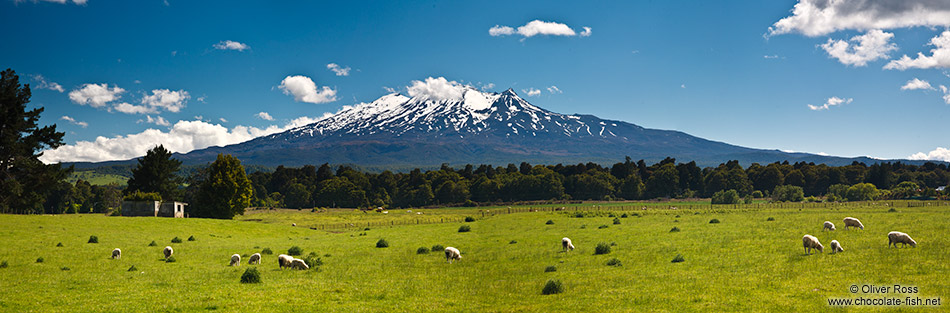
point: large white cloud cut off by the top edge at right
(821, 17)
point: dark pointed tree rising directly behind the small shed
(155, 172)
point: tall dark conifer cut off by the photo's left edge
(24, 179)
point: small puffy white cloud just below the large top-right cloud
(864, 48)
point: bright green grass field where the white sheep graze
(743, 263)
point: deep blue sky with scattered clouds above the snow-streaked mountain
(121, 76)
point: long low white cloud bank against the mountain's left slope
(183, 137)
